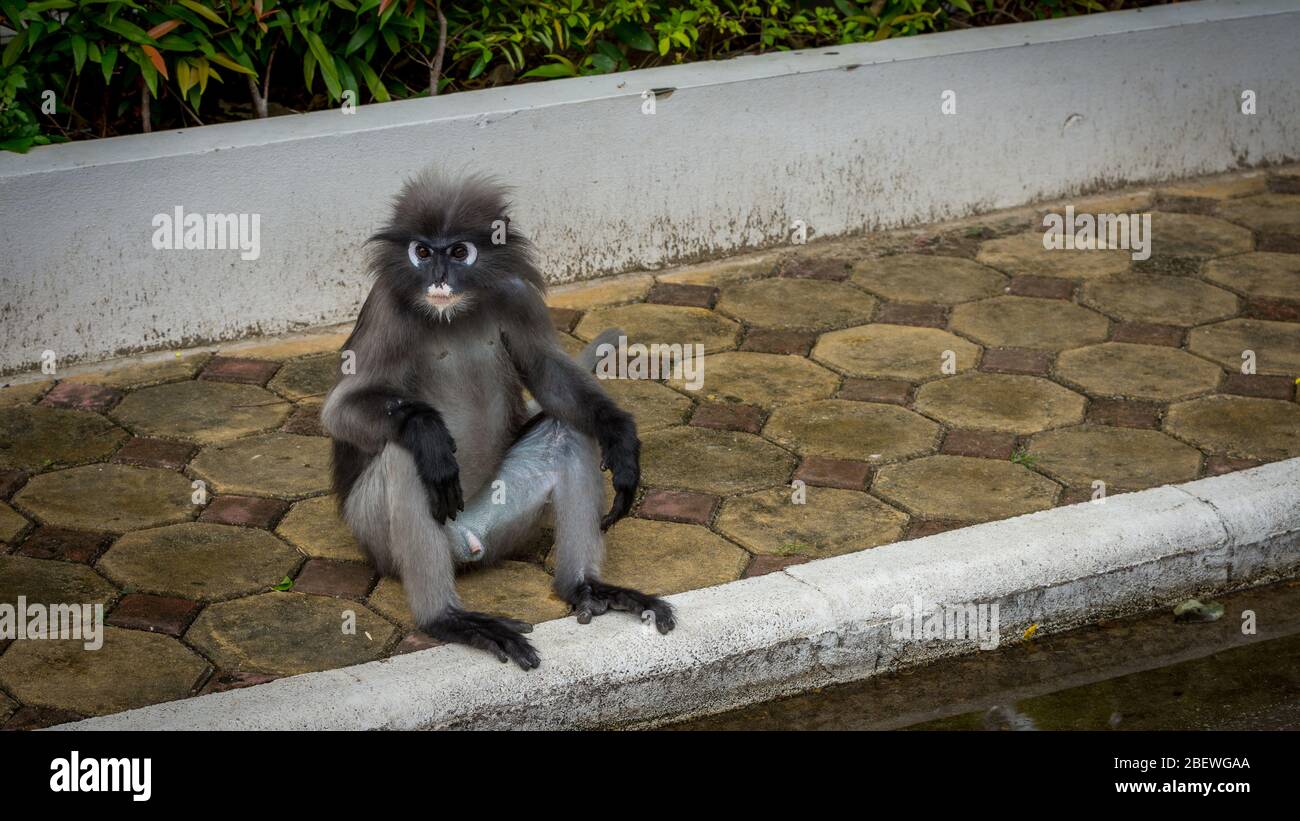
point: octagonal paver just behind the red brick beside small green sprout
(1000, 402)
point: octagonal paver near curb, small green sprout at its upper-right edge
(964, 488)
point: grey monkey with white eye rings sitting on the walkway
(434, 414)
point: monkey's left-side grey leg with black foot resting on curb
(389, 512)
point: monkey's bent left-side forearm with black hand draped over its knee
(370, 418)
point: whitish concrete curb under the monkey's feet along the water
(824, 623)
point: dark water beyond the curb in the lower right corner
(1141, 674)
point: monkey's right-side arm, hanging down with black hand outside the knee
(570, 394)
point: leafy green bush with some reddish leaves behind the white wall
(119, 67)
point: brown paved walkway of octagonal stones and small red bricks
(915, 381)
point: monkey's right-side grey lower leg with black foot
(579, 498)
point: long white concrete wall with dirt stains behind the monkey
(847, 138)
